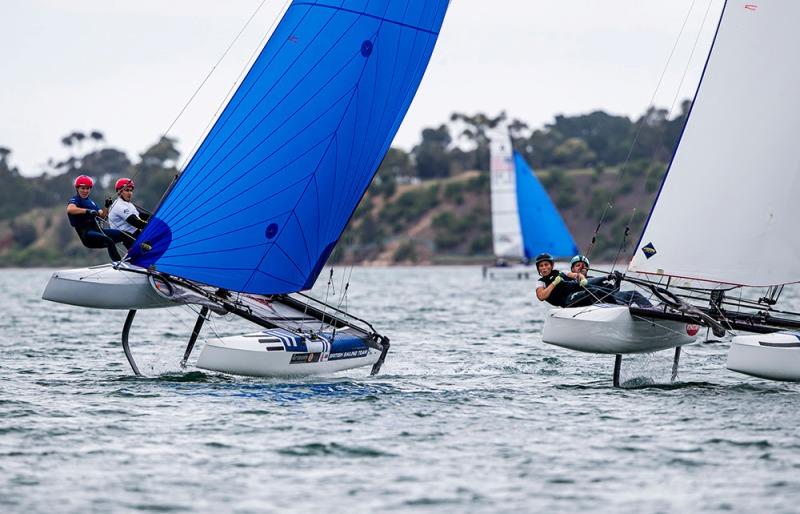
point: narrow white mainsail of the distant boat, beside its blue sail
(506, 229)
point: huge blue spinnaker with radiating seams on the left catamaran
(263, 201)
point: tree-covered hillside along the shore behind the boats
(426, 205)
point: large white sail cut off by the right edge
(727, 211)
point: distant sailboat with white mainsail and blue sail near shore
(524, 220)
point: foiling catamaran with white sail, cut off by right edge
(724, 221)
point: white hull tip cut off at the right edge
(770, 356)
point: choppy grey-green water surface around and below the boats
(472, 413)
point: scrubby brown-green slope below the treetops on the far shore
(429, 222)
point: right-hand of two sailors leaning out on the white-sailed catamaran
(603, 289)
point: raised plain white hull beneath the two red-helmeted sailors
(104, 287)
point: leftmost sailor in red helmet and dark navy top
(83, 214)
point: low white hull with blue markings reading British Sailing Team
(260, 355)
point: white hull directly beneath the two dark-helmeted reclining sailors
(611, 329)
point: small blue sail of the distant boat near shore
(543, 229)
